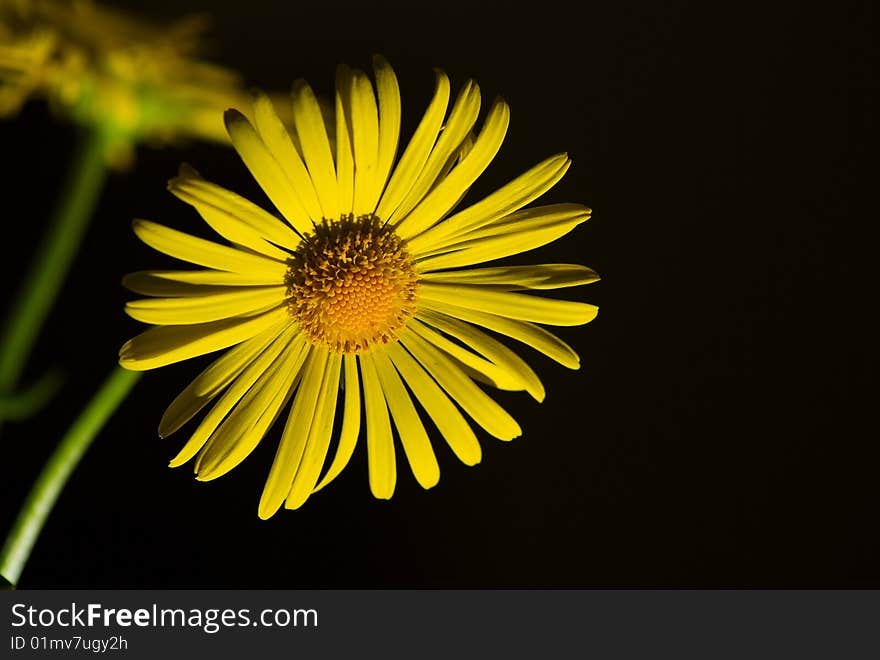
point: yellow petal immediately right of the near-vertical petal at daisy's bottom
(413, 437)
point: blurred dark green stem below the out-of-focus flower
(53, 257)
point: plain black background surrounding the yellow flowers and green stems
(720, 430)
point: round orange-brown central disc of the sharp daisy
(351, 284)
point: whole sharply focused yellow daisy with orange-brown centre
(363, 296)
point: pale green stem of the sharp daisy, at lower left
(55, 473)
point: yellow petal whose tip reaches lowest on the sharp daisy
(295, 436)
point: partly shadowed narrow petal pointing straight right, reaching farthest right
(515, 278)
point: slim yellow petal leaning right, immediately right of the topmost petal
(417, 151)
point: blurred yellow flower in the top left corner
(135, 80)
